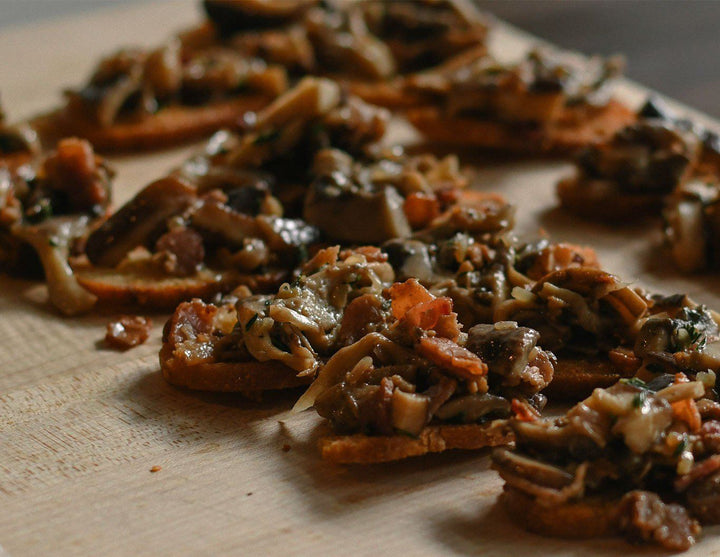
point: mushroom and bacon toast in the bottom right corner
(637, 459)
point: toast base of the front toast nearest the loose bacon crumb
(227, 376)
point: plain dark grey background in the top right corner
(670, 45)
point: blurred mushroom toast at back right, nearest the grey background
(543, 104)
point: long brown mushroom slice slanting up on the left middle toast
(138, 220)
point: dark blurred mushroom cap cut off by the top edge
(231, 16)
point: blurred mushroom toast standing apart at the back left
(139, 99)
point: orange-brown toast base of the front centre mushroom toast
(367, 449)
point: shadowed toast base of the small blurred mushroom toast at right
(605, 202)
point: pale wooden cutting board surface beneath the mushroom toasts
(81, 427)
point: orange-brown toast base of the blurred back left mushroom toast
(170, 126)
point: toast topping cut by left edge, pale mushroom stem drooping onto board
(47, 208)
